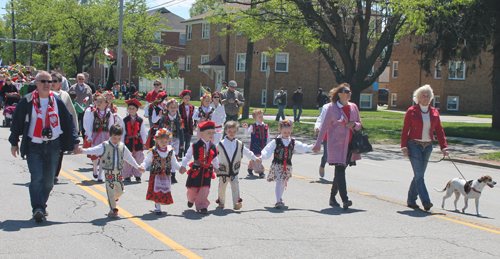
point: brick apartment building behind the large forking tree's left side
(226, 55)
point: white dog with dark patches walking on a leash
(469, 189)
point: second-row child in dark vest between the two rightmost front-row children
(259, 138)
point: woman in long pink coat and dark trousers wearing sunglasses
(341, 119)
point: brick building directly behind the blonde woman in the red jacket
(455, 88)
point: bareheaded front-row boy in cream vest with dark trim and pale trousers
(231, 152)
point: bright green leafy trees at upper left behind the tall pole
(81, 31)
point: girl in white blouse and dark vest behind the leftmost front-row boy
(97, 121)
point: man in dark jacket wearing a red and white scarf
(42, 139)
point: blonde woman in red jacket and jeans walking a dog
(421, 120)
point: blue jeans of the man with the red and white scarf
(42, 163)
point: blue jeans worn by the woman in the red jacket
(417, 186)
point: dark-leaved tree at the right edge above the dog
(466, 33)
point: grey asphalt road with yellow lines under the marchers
(378, 225)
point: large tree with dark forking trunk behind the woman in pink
(352, 35)
